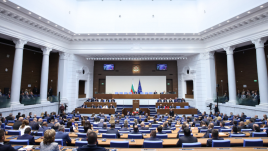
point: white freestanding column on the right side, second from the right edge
(231, 74)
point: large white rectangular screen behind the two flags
(124, 83)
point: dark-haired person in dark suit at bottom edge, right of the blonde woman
(92, 143)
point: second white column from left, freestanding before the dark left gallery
(44, 75)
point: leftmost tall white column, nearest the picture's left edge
(17, 71)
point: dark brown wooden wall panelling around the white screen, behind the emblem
(124, 68)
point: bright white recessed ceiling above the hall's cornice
(138, 16)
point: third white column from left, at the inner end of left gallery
(63, 75)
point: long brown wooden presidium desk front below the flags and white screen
(135, 96)
